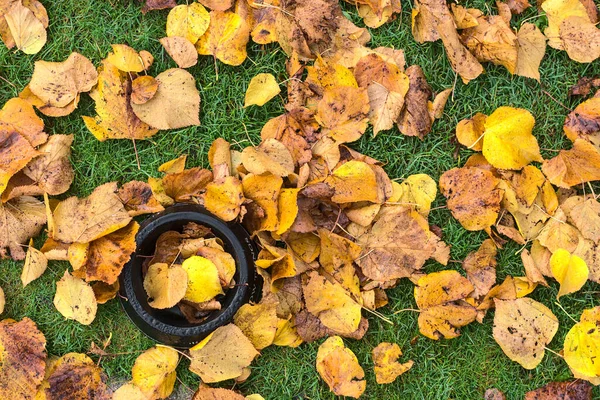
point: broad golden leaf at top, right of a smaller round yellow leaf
(226, 38)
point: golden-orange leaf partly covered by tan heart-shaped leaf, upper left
(115, 119)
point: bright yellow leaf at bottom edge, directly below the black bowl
(154, 371)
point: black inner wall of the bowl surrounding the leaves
(146, 246)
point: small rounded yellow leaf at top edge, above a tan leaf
(188, 21)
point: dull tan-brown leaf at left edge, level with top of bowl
(20, 219)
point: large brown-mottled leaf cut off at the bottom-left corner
(23, 359)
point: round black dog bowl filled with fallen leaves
(169, 326)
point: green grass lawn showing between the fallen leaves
(461, 368)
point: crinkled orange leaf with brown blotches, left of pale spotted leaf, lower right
(440, 297)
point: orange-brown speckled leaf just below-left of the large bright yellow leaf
(473, 196)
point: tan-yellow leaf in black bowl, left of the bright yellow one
(165, 285)
